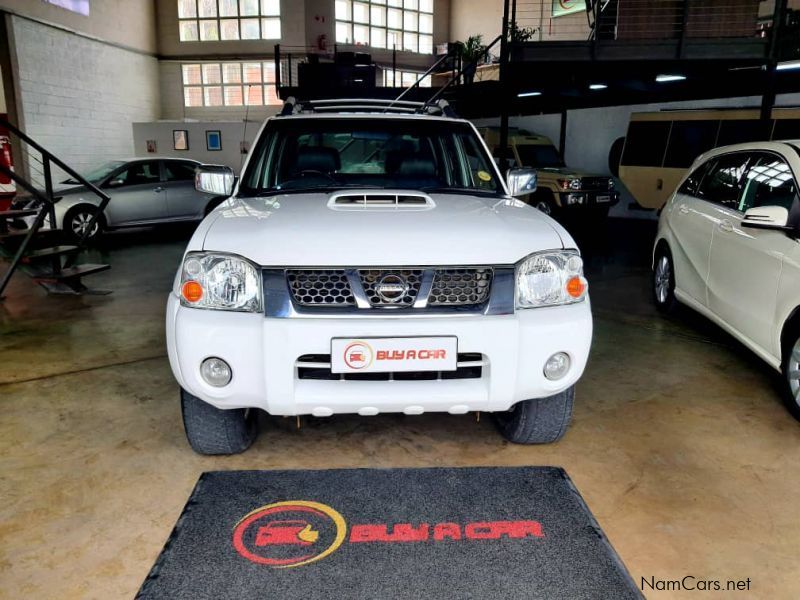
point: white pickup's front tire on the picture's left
(212, 430)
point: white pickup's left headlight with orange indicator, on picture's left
(220, 281)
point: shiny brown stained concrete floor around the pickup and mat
(680, 444)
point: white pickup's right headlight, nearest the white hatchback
(550, 278)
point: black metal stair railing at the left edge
(46, 198)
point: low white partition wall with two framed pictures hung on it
(232, 132)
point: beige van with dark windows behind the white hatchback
(661, 146)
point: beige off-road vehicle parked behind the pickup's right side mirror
(560, 189)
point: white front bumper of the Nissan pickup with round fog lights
(262, 353)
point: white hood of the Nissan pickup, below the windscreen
(305, 230)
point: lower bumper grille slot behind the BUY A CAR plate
(317, 367)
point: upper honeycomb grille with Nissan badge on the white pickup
(390, 288)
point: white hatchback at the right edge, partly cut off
(727, 246)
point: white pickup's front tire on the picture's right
(538, 421)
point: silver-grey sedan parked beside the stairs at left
(143, 192)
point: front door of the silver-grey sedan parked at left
(137, 194)
